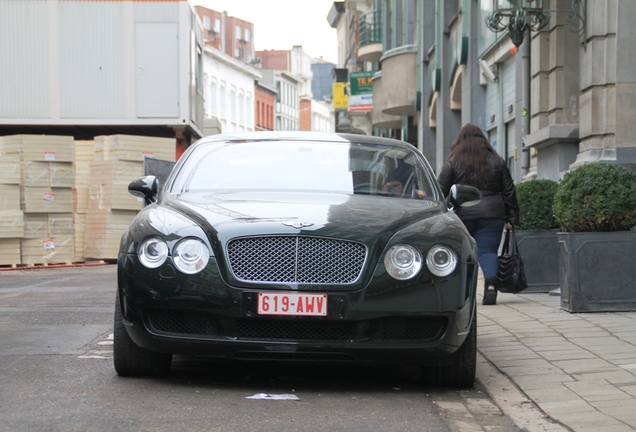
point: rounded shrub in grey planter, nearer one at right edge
(595, 206)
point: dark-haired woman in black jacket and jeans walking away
(473, 161)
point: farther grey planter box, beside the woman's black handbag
(540, 252)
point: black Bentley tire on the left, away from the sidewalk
(129, 359)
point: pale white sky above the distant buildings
(281, 24)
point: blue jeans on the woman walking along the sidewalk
(487, 233)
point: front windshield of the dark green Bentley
(349, 168)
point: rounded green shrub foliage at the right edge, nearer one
(596, 197)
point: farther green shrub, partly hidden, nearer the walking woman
(535, 204)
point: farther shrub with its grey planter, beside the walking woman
(537, 234)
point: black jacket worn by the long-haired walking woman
(498, 196)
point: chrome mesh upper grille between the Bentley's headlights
(290, 259)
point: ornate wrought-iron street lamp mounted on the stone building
(522, 16)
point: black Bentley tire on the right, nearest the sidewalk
(461, 373)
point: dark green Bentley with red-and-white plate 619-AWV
(299, 247)
